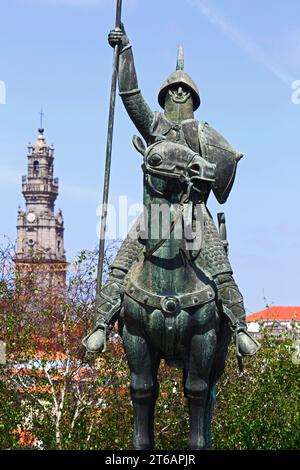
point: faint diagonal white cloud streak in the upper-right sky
(241, 40)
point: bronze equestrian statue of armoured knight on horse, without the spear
(174, 294)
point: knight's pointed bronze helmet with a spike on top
(179, 77)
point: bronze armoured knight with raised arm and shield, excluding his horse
(179, 97)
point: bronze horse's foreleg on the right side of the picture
(197, 385)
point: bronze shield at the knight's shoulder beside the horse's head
(216, 149)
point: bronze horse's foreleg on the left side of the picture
(143, 365)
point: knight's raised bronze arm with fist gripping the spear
(139, 111)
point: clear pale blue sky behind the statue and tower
(244, 56)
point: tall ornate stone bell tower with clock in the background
(40, 231)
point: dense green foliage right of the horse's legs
(260, 409)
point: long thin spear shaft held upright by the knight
(108, 155)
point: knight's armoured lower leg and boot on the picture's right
(234, 310)
